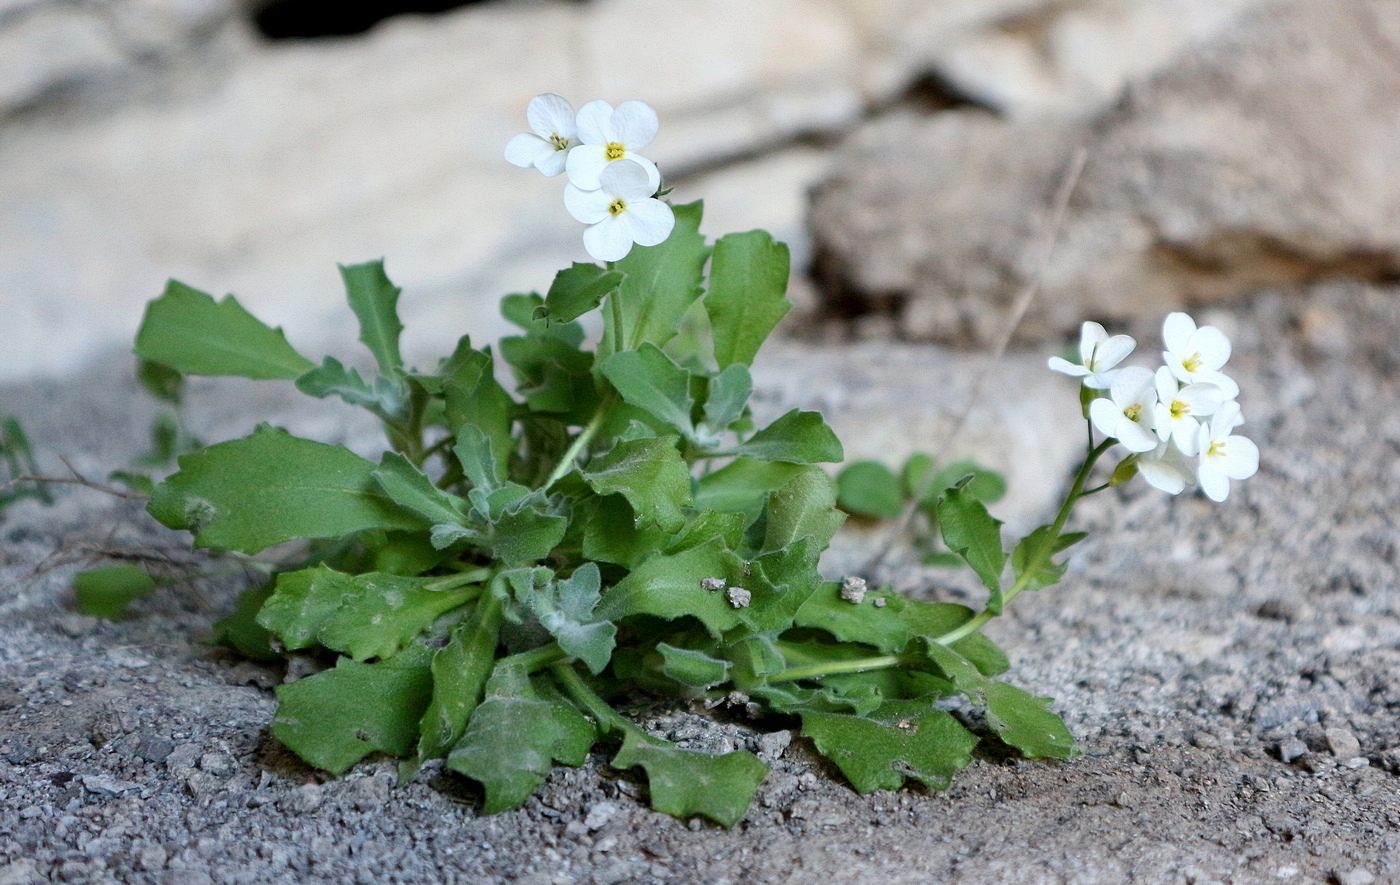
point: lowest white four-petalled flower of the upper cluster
(621, 212)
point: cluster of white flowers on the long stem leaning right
(1185, 410)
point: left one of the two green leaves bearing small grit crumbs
(670, 587)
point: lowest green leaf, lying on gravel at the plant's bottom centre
(687, 782)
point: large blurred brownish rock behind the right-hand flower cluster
(1235, 169)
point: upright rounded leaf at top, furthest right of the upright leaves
(747, 299)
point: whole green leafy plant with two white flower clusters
(526, 561)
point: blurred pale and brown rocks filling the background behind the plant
(250, 146)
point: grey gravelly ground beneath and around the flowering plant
(1231, 673)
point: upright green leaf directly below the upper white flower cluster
(661, 284)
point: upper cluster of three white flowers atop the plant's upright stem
(611, 187)
